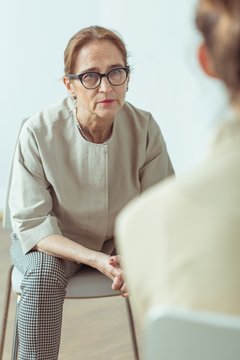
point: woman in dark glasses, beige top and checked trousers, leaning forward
(77, 164)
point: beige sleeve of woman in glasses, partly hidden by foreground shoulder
(157, 164)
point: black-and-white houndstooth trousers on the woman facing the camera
(41, 304)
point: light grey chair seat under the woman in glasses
(86, 283)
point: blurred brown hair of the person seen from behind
(219, 23)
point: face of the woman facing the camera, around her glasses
(106, 100)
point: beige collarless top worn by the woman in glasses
(63, 184)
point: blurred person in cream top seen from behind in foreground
(193, 224)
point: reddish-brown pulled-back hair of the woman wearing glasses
(85, 36)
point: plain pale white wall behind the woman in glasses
(162, 43)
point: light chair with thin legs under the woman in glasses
(88, 283)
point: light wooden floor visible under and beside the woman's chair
(92, 329)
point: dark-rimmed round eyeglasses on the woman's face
(91, 80)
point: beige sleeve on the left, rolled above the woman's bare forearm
(30, 200)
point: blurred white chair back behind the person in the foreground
(172, 333)
